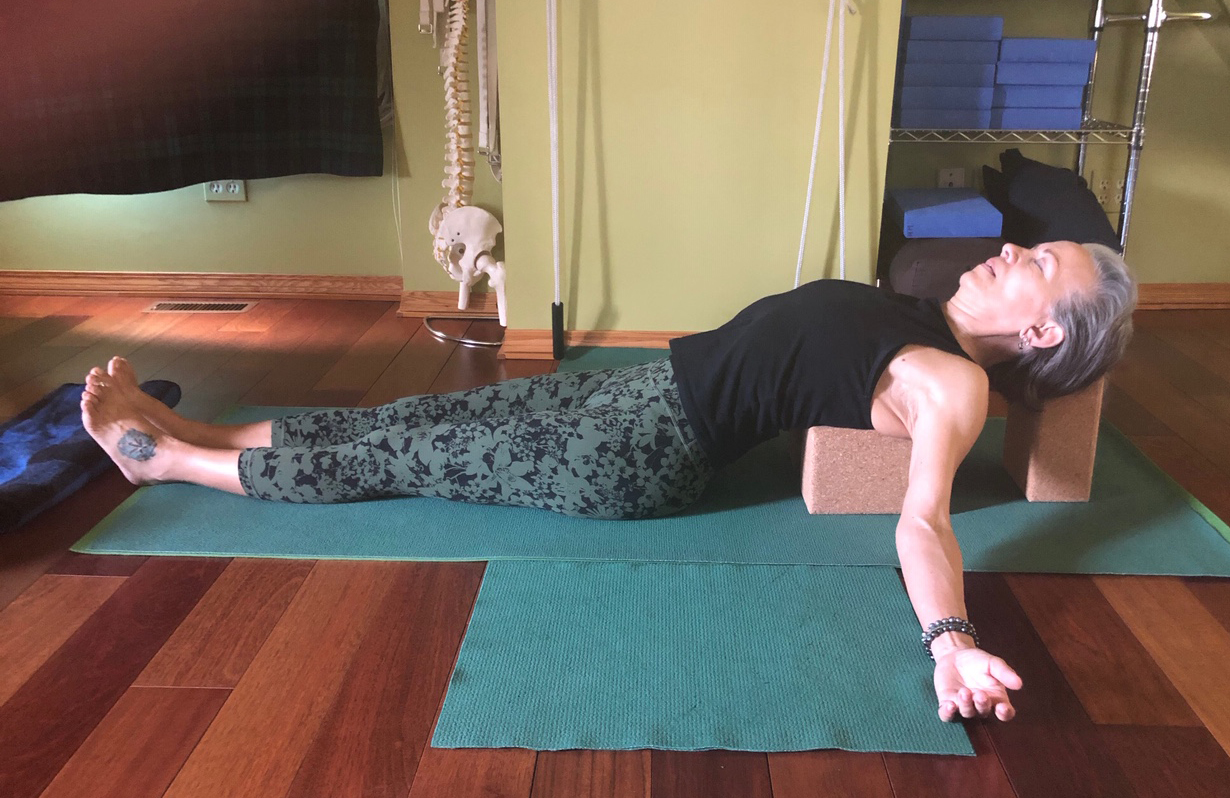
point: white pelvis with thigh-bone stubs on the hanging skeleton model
(464, 240)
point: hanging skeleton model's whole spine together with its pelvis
(464, 235)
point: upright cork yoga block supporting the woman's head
(1051, 452)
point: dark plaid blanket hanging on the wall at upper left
(136, 97)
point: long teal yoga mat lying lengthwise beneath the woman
(1140, 522)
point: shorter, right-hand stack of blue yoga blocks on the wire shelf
(1040, 84)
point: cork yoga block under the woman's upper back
(851, 472)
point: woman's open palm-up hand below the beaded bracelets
(970, 683)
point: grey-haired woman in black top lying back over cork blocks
(645, 441)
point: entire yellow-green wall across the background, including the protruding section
(687, 132)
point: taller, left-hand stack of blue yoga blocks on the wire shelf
(949, 72)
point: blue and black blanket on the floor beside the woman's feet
(46, 454)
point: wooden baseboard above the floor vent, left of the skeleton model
(201, 285)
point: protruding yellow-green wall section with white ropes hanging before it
(687, 133)
